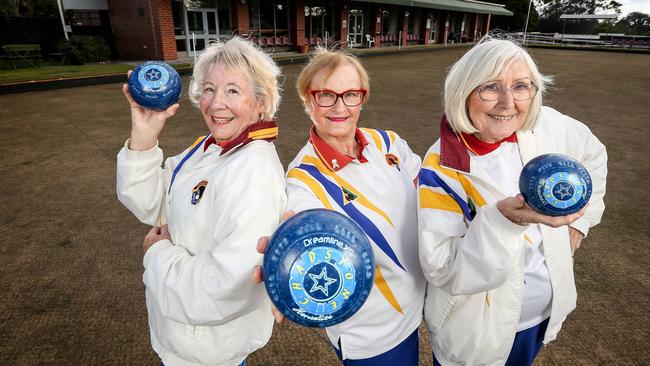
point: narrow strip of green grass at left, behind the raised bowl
(66, 71)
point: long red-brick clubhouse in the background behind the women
(169, 29)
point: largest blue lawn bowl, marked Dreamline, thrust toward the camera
(319, 268)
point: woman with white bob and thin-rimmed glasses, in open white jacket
(500, 275)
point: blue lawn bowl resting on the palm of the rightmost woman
(555, 184)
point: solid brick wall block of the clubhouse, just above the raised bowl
(143, 29)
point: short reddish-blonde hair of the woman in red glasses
(328, 60)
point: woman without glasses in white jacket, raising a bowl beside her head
(210, 204)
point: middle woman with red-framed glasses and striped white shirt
(368, 175)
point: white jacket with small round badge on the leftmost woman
(203, 306)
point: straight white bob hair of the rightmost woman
(483, 63)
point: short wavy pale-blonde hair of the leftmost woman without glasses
(240, 55)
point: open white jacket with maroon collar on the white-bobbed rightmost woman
(472, 255)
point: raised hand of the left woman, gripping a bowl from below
(146, 124)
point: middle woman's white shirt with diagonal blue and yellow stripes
(381, 197)
